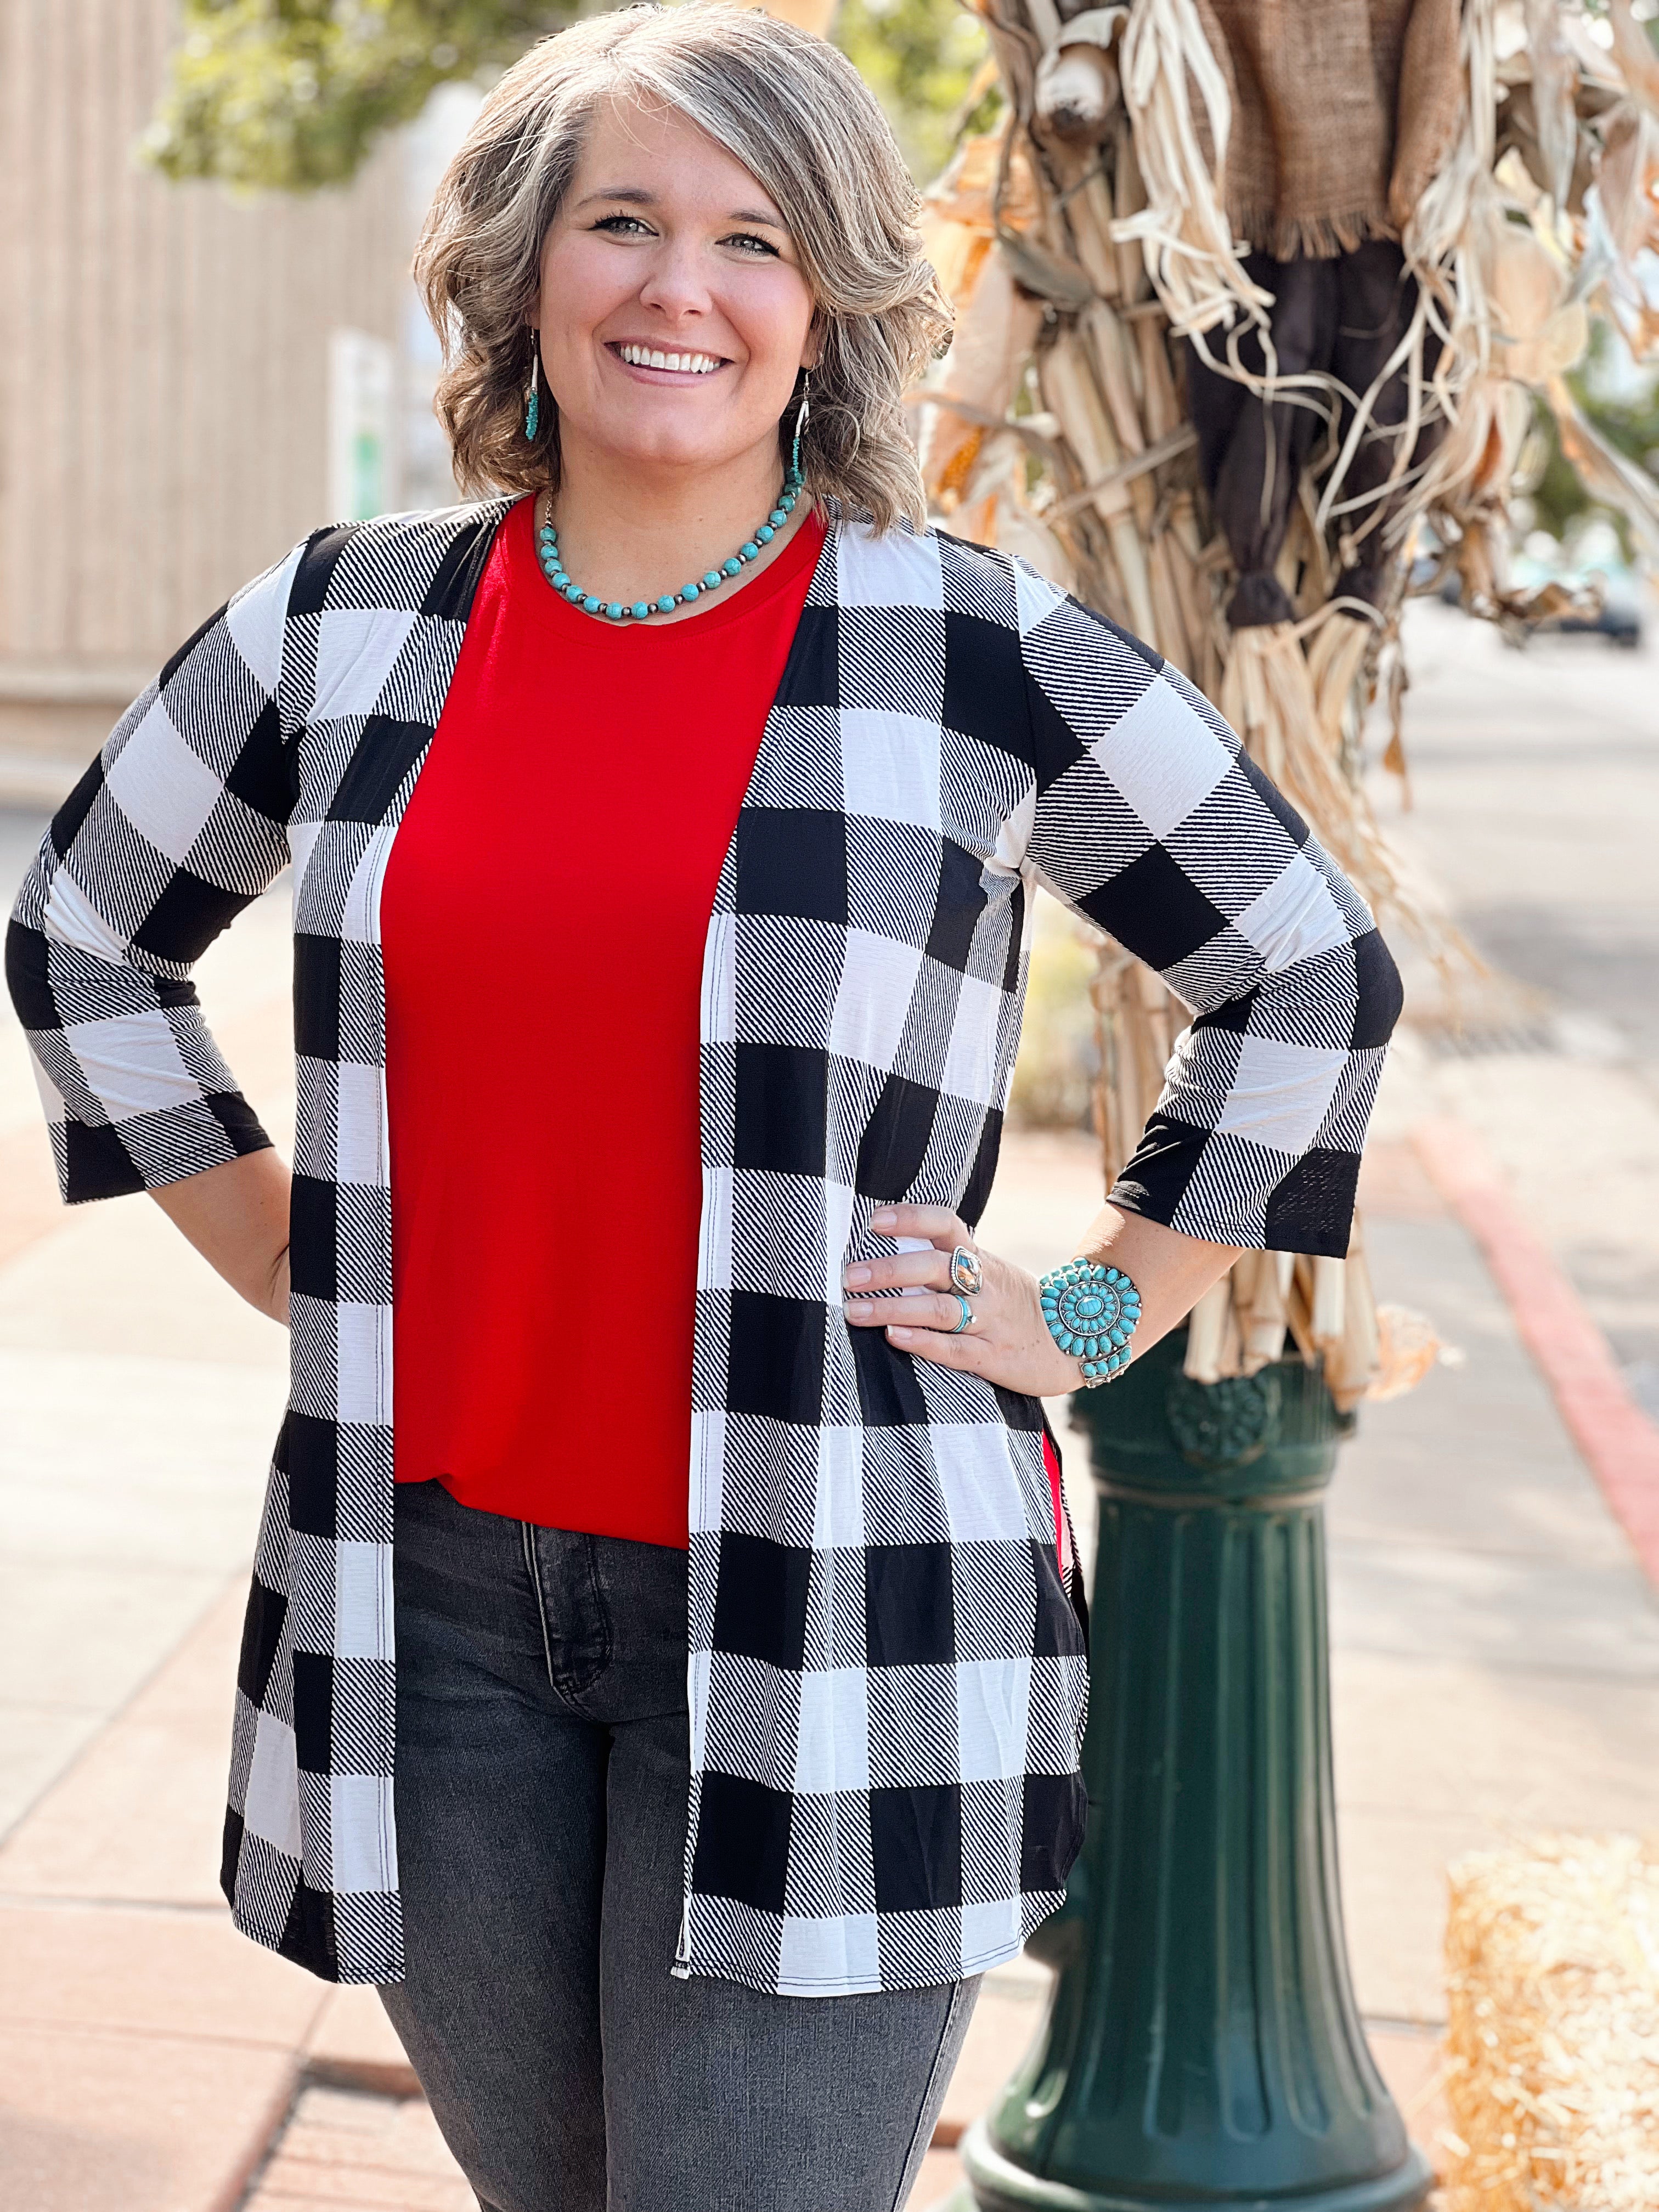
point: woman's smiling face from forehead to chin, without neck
(667, 251)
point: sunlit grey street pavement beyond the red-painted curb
(1536, 780)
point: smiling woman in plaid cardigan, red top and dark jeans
(662, 844)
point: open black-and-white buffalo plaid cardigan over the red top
(888, 1680)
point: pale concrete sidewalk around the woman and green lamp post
(1496, 1669)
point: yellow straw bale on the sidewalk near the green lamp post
(1554, 2030)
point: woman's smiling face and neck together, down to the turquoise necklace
(674, 326)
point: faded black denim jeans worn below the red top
(541, 1797)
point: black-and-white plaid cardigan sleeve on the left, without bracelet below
(171, 833)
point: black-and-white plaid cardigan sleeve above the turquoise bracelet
(1154, 824)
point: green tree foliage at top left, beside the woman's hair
(295, 94)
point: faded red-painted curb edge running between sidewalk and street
(1614, 1434)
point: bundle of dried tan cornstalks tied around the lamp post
(1085, 247)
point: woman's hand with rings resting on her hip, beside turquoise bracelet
(1008, 1339)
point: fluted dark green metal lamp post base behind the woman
(1202, 2052)
